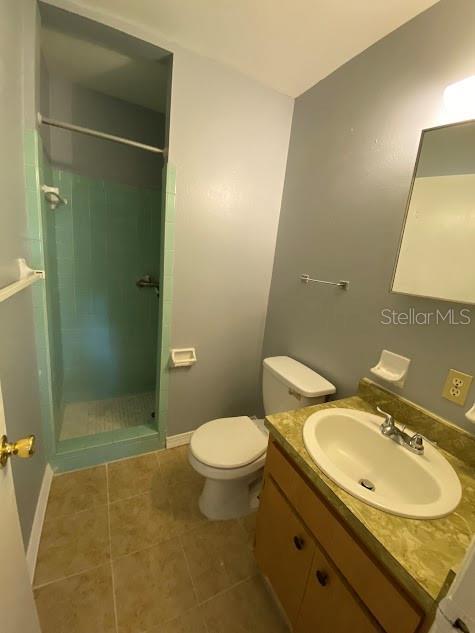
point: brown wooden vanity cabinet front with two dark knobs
(324, 578)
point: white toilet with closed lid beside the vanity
(230, 452)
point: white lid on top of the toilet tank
(299, 377)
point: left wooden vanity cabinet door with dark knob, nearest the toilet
(284, 549)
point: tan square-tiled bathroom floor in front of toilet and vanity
(125, 549)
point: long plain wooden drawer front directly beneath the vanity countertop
(378, 592)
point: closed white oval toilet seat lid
(229, 443)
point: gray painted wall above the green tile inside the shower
(97, 158)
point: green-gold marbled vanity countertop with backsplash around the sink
(422, 554)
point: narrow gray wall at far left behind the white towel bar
(17, 347)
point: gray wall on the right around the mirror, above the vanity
(353, 145)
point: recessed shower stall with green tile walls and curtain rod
(102, 140)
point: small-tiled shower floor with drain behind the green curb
(99, 416)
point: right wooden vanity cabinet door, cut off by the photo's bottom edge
(329, 606)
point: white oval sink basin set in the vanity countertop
(350, 448)
